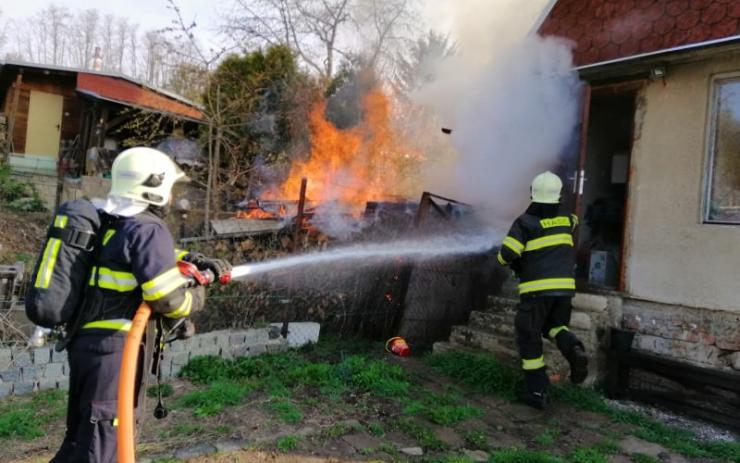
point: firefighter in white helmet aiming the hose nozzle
(135, 261)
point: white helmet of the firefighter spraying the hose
(144, 174)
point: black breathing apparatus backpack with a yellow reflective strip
(62, 269)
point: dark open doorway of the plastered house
(601, 184)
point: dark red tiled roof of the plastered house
(604, 30)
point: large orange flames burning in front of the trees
(368, 162)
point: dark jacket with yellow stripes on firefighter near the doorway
(539, 248)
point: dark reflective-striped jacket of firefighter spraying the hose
(136, 262)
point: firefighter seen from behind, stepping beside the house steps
(539, 248)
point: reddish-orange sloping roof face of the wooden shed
(126, 92)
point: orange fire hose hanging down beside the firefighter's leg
(127, 386)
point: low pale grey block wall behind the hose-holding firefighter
(25, 370)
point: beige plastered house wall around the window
(672, 257)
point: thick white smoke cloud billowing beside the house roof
(511, 99)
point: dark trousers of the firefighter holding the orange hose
(95, 363)
